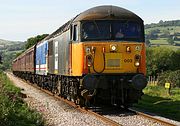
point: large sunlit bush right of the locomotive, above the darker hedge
(162, 59)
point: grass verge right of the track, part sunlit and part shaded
(157, 100)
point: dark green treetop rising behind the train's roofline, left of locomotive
(33, 40)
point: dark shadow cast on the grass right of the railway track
(161, 106)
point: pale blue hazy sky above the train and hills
(21, 19)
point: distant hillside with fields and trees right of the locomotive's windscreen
(164, 33)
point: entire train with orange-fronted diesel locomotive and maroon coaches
(98, 56)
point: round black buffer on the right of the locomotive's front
(139, 81)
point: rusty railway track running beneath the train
(101, 113)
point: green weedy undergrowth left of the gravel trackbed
(13, 111)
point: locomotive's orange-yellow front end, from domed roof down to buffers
(111, 55)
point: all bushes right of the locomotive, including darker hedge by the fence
(164, 63)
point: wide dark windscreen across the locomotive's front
(112, 30)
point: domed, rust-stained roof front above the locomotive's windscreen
(107, 12)
